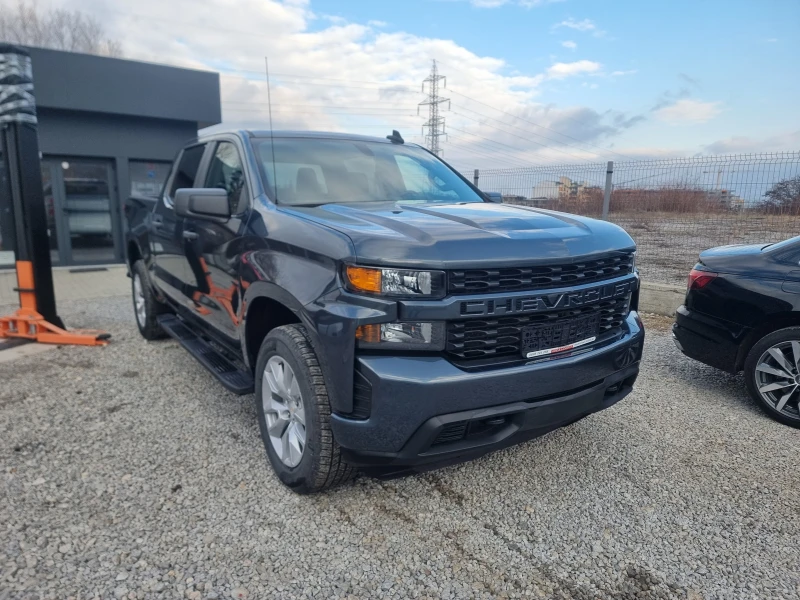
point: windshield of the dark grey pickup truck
(323, 171)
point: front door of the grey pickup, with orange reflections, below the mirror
(213, 248)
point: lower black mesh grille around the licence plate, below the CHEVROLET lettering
(482, 338)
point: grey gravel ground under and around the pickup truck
(127, 472)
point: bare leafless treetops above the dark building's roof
(60, 29)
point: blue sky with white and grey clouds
(528, 80)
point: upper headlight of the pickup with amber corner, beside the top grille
(395, 282)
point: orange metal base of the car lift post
(28, 324)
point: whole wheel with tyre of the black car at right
(772, 374)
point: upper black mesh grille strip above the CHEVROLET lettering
(552, 275)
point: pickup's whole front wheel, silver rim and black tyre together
(294, 413)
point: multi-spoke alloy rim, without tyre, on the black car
(777, 378)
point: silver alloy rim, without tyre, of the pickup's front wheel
(284, 411)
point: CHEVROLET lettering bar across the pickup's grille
(545, 302)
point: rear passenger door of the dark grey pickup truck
(166, 232)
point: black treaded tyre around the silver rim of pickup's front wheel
(321, 466)
